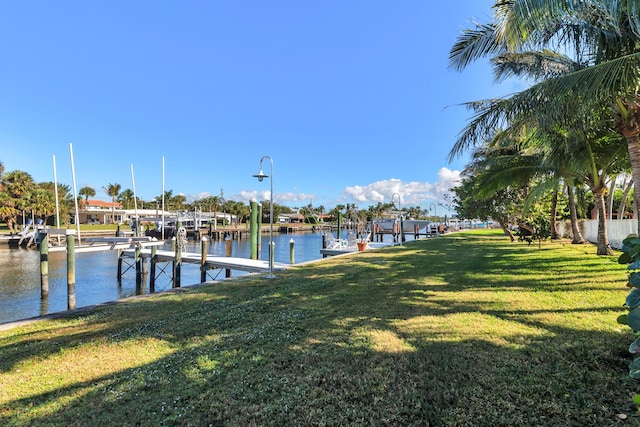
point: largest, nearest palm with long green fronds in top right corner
(605, 37)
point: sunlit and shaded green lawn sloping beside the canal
(467, 329)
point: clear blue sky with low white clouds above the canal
(353, 100)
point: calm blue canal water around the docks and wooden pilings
(96, 280)
